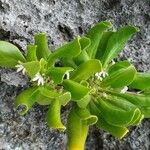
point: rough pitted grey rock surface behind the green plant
(63, 20)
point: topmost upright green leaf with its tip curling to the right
(95, 34)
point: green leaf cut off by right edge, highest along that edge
(141, 81)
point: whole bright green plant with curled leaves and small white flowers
(111, 95)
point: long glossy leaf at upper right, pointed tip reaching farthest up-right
(117, 42)
